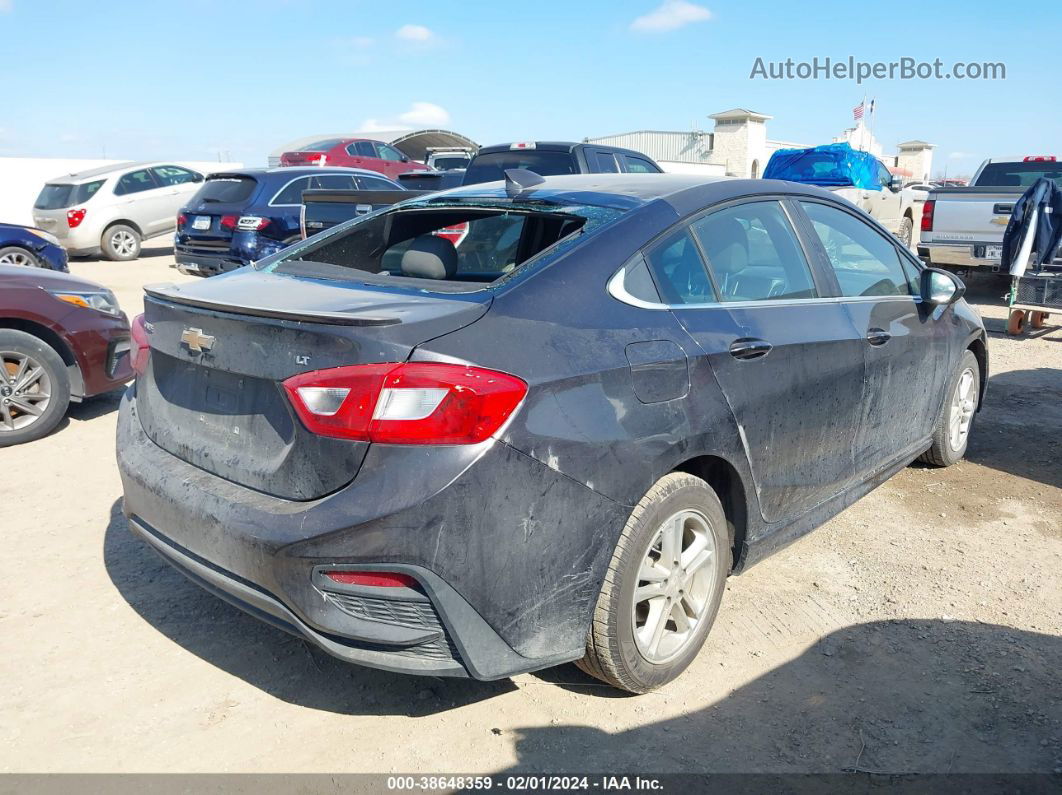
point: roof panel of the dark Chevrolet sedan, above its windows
(684, 193)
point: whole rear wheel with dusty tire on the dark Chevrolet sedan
(622, 648)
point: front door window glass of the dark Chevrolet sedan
(866, 263)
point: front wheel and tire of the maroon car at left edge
(16, 426)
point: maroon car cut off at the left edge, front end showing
(62, 339)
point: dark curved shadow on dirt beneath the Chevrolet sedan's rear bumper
(268, 659)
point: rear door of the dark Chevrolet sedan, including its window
(789, 361)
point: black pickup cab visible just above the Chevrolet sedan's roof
(555, 158)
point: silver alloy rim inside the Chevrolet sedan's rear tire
(676, 582)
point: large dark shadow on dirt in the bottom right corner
(898, 697)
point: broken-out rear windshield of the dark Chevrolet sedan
(470, 245)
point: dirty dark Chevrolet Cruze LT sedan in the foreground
(553, 443)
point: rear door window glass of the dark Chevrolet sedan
(755, 254)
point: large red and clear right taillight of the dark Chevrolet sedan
(413, 404)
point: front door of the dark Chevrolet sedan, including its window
(904, 341)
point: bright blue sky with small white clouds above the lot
(194, 79)
